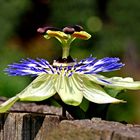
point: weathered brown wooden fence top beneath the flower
(50, 126)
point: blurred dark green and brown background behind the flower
(114, 26)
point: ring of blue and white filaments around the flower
(89, 65)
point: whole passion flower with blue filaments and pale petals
(71, 79)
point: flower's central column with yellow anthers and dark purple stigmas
(65, 36)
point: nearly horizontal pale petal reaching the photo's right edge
(118, 83)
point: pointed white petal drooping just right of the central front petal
(96, 94)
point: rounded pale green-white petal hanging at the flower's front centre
(69, 89)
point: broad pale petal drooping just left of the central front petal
(40, 89)
